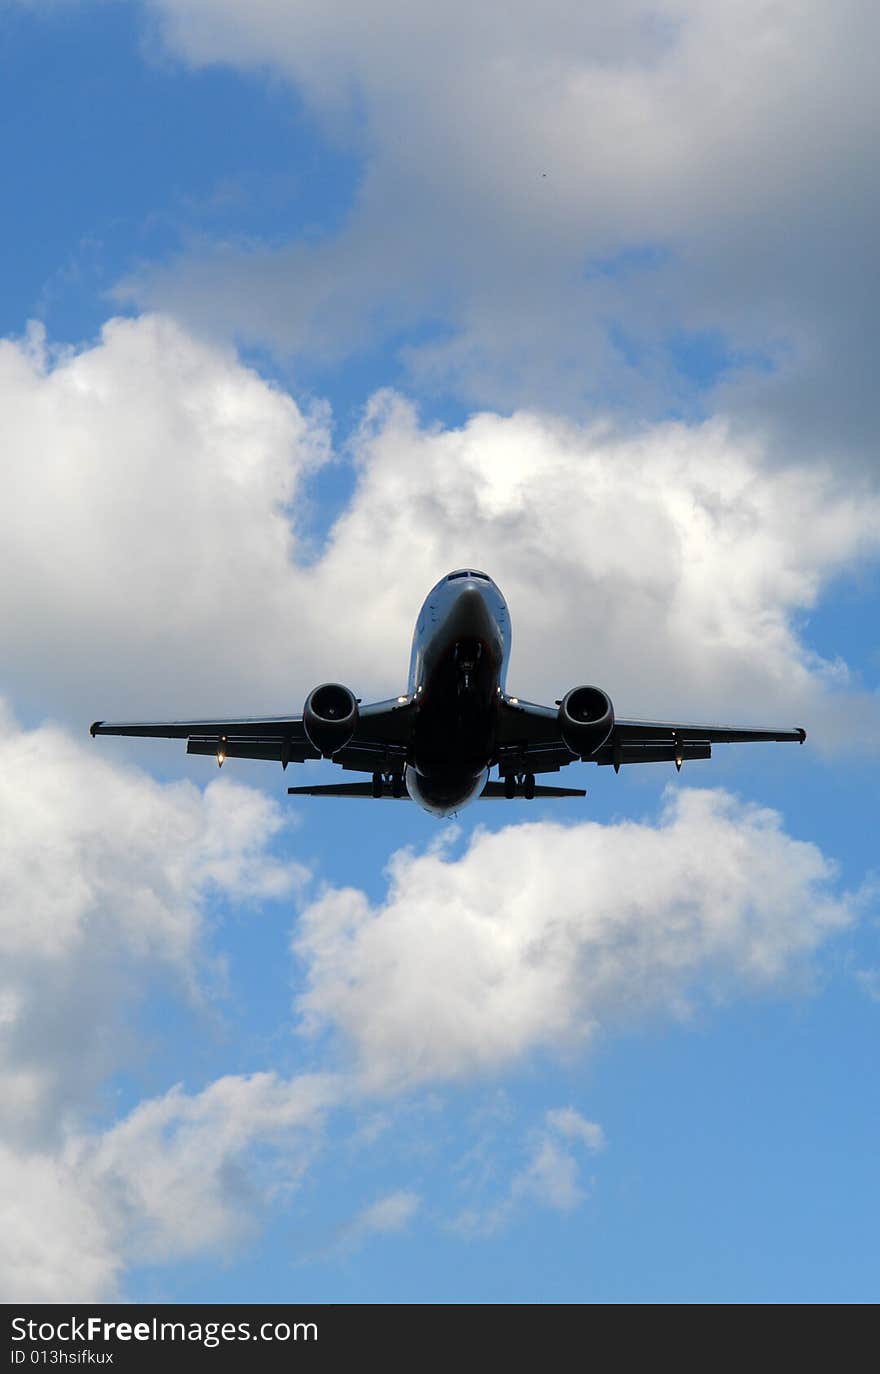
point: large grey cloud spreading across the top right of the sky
(573, 196)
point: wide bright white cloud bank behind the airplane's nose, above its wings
(156, 559)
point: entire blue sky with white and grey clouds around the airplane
(305, 306)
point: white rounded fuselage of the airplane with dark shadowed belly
(457, 675)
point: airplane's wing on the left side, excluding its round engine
(379, 741)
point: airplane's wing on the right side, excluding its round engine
(530, 740)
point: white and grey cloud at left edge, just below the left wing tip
(104, 881)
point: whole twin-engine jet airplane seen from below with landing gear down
(438, 741)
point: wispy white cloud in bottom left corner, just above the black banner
(179, 1177)
